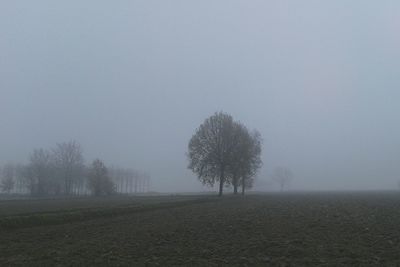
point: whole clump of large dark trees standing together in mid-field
(224, 151)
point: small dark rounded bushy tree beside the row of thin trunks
(98, 180)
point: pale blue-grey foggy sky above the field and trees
(132, 80)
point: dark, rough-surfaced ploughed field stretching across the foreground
(297, 229)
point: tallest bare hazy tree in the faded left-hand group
(69, 164)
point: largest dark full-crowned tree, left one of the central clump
(210, 149)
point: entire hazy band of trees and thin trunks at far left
(62, 171)
